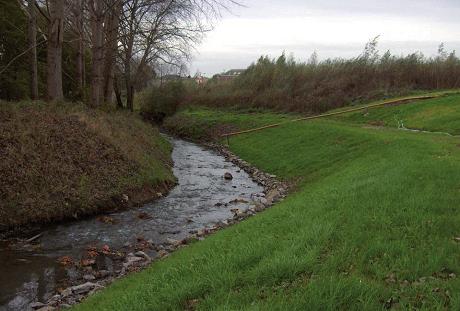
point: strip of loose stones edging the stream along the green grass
(135, 258)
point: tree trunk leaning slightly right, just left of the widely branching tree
(113, 21)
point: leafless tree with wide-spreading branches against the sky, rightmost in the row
(164, 30)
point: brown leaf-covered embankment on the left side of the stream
(64, 160)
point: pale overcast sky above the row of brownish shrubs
(332, 28)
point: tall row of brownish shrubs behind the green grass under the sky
(312, 87)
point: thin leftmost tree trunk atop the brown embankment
(33, 50)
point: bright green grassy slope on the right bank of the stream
(371, 226)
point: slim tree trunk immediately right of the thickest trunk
(80, 61)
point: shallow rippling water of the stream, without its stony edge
(202, 198)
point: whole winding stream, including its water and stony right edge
(64, 263)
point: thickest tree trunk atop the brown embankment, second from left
(54, 53)
